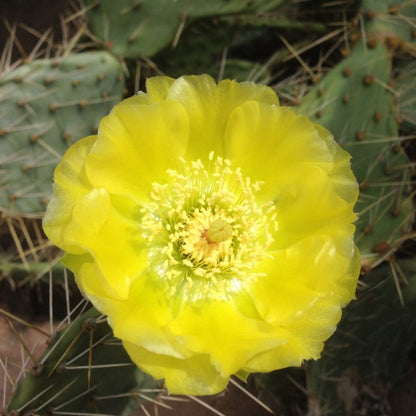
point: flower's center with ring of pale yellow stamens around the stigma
(205, 229)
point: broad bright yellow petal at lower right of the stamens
(313, 268)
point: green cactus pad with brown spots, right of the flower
(355, 101)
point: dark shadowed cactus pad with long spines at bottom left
(83, 371)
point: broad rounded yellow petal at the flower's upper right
(257, 133)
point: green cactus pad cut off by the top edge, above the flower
(133, 28)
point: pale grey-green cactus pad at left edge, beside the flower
(45, 106)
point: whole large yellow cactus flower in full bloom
(212, 226)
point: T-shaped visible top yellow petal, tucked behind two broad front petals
(209, 107)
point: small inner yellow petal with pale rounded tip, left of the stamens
(110, 234)
